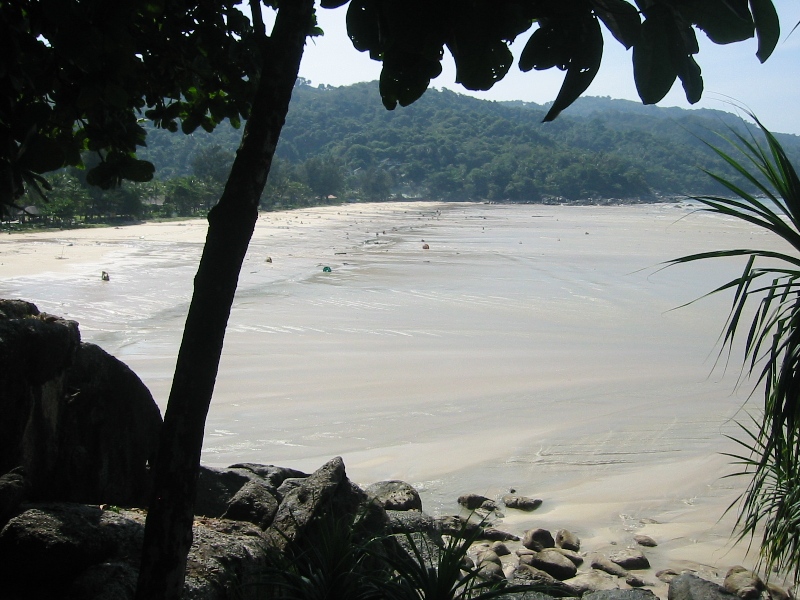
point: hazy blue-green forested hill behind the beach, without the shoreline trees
(448, 145)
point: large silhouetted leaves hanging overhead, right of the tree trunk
(409, 37)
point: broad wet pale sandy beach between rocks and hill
(534, 347)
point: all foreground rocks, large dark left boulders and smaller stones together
(79, 432)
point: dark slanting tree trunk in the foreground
(168, 531)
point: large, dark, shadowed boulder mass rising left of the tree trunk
(79, 421)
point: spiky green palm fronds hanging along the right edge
(772, 345)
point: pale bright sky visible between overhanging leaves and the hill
(732, 74)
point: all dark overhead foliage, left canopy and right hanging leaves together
(79, 76)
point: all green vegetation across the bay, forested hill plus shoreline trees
(339, 146)
